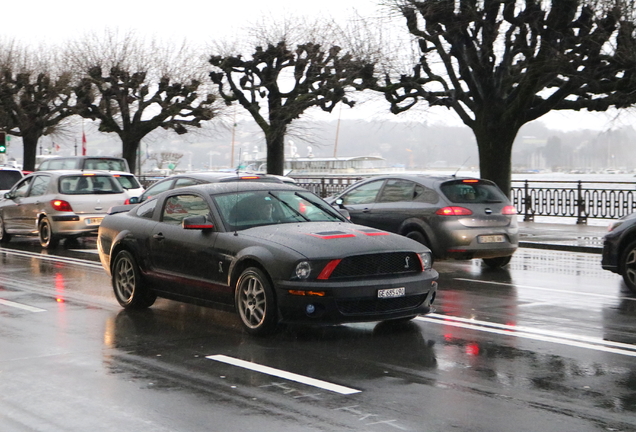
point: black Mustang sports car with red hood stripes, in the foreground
(270, 251)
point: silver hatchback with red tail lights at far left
(58, 204)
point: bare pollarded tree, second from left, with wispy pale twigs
(132, 87)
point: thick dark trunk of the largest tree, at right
(495, 153)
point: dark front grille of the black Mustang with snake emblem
(377, 265)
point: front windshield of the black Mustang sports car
(256, 208)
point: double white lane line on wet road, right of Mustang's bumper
(571, 340)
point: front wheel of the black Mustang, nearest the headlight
(255, 302)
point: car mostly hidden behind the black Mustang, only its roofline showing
(203, 177)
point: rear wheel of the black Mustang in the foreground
(130, 290)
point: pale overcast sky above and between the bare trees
(198, 20)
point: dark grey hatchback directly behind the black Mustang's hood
(461, 218)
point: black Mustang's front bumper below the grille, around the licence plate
(356, 301)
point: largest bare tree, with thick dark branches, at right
(500, 64)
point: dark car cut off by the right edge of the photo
(619, 249)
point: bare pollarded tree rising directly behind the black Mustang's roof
(278, 83)
